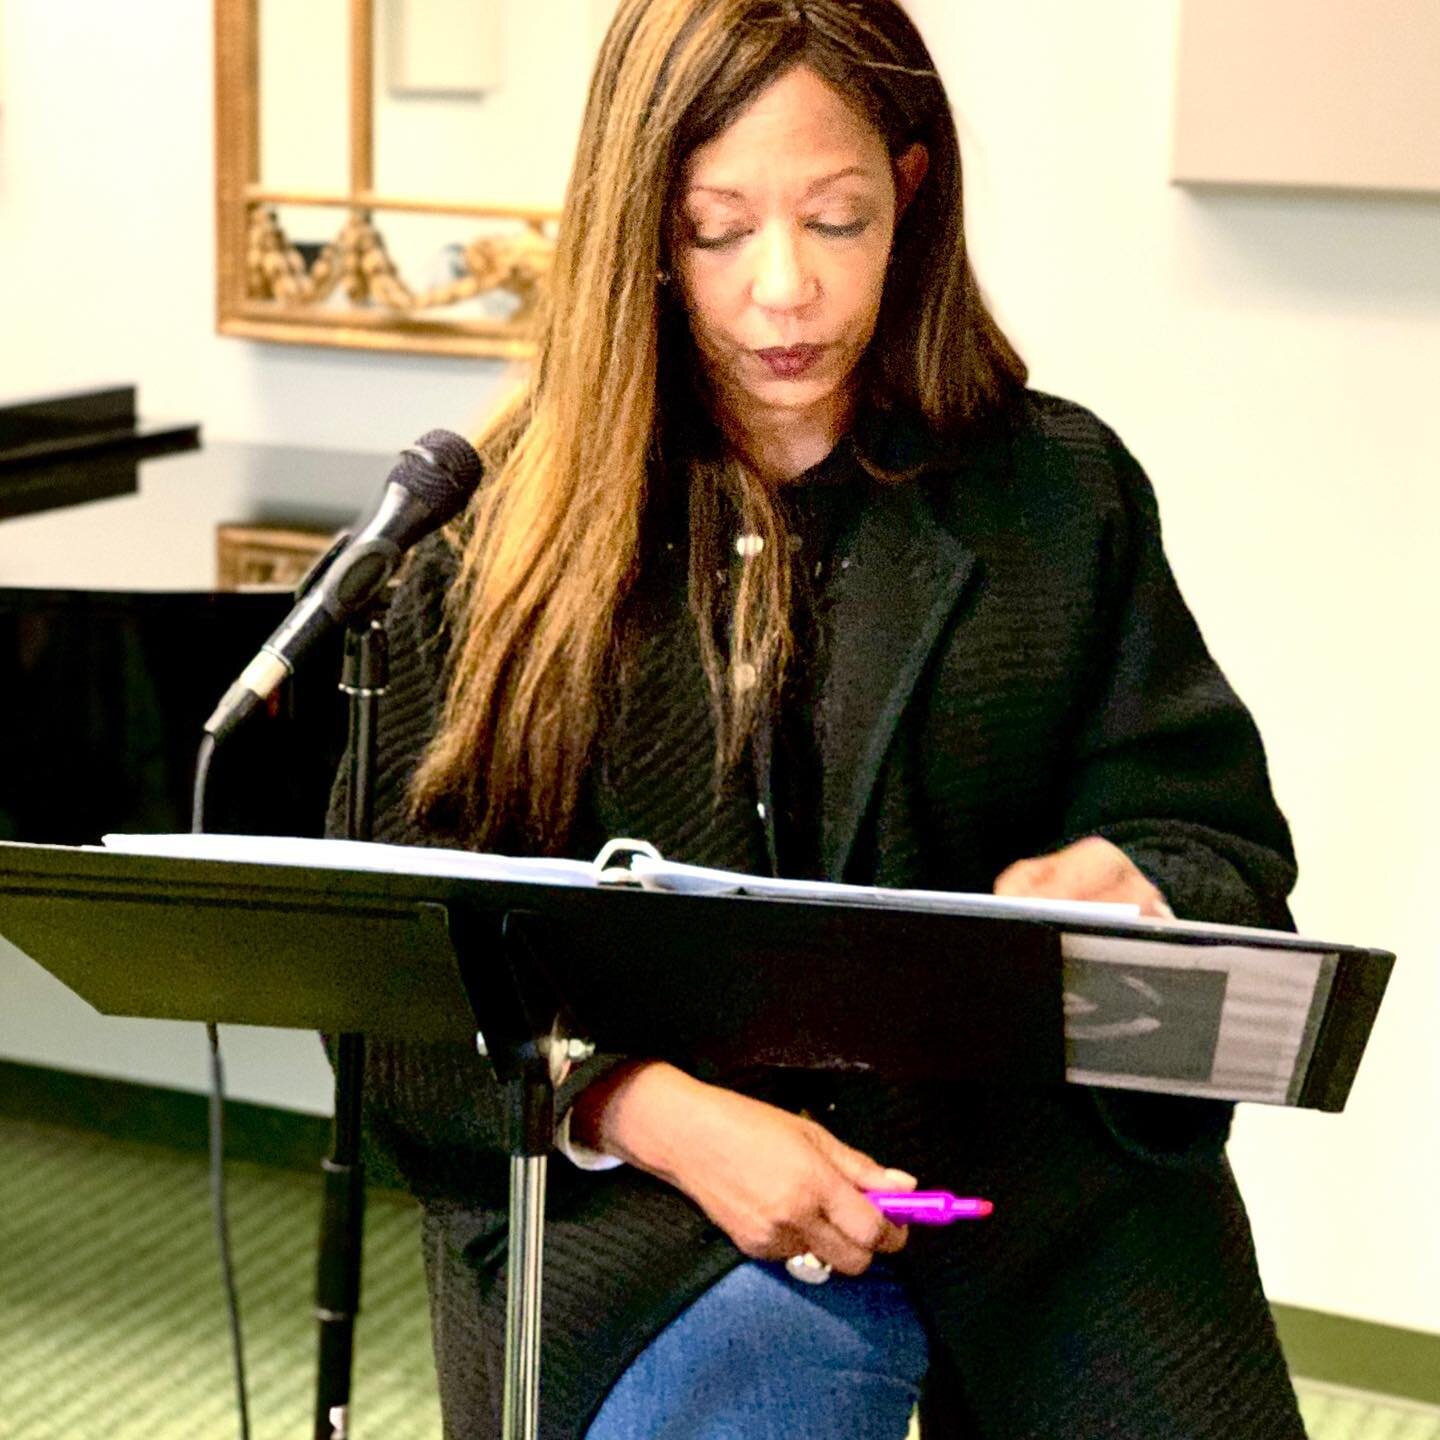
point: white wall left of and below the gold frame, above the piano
(107, 244)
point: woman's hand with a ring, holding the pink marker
(777, 1184)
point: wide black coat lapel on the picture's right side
(898, 582)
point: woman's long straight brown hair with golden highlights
(607, 415)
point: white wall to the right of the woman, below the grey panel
(1274, 362)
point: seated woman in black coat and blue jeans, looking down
(781, 568)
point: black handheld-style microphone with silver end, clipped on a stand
(430, 486)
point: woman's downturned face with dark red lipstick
(783, 243)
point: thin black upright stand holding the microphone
(338, 1278)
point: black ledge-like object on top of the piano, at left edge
(74, 449)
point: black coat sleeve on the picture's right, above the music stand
(1169, 764)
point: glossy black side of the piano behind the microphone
(103, 701)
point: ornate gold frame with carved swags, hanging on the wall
(349, 292)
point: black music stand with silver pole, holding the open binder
(968, 997)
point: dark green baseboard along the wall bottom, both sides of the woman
(1336, 1350)
